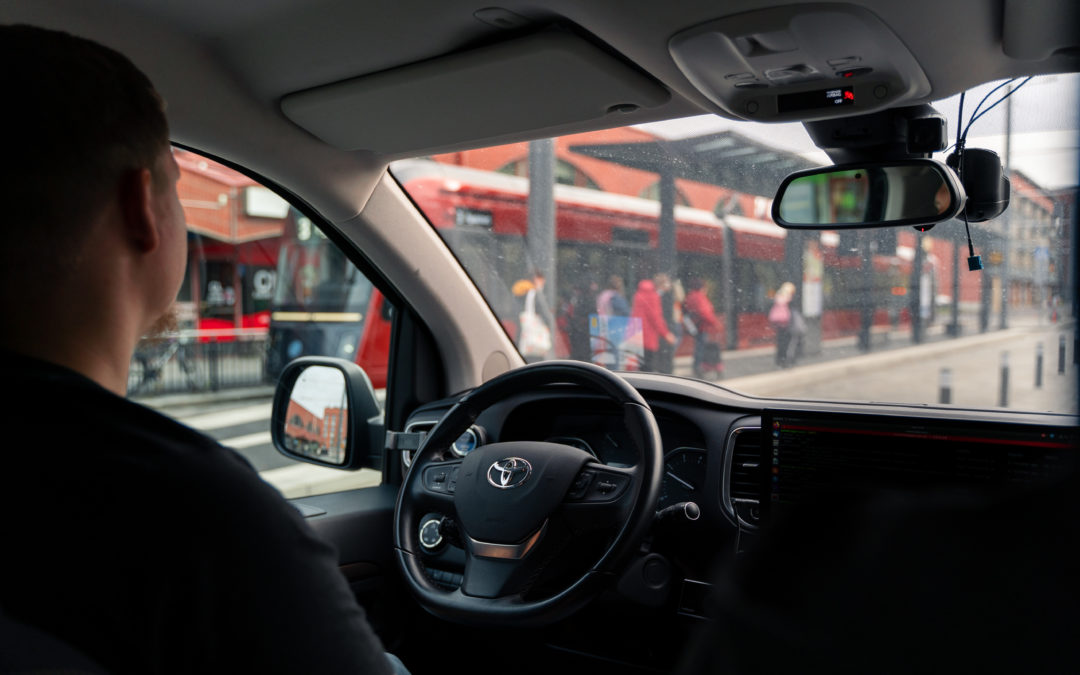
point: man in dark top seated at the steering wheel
(139, 542)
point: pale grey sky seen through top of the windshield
(1045, 125)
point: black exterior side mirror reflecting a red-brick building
(326, 413)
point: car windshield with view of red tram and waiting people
(653, 249)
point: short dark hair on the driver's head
(77, 116)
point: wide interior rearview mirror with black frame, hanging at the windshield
(916, 193)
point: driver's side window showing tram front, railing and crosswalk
(260, 291)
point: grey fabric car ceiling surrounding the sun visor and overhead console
(226, 67)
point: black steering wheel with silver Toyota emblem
(517, 507)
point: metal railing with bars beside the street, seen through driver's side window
(199, 361)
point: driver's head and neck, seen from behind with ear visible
(96, 244)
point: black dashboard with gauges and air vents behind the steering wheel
(747, 462)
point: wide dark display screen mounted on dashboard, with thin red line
(812, 455)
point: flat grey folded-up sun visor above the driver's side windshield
(530, 84)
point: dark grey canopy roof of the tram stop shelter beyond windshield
(726, 159)
